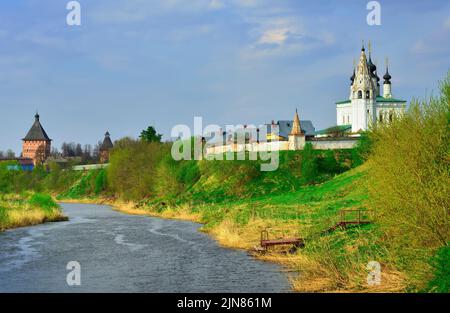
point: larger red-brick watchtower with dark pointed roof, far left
(36, 144)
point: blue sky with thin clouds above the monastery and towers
(135, 63)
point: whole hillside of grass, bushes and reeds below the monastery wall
(398, 174)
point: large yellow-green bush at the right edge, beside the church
(409, 183)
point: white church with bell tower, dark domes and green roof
(366, 105)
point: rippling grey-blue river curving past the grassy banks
(125, 253)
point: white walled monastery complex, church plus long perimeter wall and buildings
(365, 107)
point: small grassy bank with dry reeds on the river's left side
(27, 210)
